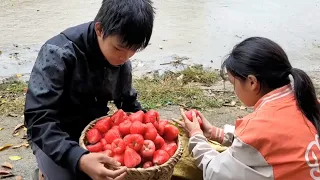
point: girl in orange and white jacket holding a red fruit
(279, 140)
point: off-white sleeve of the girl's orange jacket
(240, 161)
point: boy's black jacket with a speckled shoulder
(70, 85)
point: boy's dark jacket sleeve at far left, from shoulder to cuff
(43, 102)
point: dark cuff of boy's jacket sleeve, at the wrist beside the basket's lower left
(72, 158)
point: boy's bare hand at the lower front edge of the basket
(93, 164)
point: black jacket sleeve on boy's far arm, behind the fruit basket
(128, 97)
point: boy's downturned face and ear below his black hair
(111, 48)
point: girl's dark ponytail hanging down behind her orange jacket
(306, 97)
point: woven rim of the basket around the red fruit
(177, 155)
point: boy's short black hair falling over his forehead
(130, 20)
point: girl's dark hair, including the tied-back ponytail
(268, 62)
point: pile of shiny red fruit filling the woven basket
(136, 140)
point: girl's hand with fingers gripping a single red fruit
(192, 127)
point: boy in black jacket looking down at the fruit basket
(75, 75)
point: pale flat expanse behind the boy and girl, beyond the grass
(202, 30)
